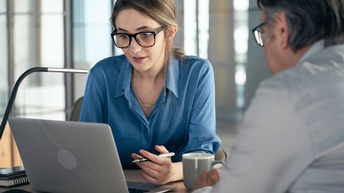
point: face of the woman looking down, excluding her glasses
(143, 59)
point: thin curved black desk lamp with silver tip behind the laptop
(16, 86)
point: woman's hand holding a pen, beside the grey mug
(159, 170)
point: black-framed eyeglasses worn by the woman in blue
(144, 39)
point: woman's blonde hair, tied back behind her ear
(162, 11)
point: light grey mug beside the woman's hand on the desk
(194, 164)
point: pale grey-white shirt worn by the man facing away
(292, 136)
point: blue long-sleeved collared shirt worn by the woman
(183, 119)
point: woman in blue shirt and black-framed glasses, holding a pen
(155, 99)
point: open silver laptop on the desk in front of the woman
(62, 156)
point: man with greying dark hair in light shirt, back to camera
(292, 137)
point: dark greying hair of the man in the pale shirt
(308, 20)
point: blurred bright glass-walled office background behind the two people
(76, 34)
